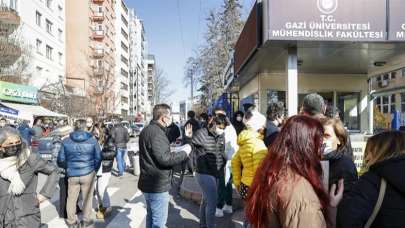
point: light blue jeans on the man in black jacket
(157, 209)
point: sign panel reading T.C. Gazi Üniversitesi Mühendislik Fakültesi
(327, 20)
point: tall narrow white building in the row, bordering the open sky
(139, 104)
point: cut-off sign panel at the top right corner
(397, 20)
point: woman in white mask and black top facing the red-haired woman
(341, 166)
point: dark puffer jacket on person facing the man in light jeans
(209, 152)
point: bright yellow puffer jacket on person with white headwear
(249, 156)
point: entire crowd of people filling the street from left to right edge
(290, 172)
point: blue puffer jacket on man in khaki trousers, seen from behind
(80, 154)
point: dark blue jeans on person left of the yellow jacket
(208, 186)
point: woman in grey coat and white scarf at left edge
(19, 169)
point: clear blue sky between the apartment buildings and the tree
(174, 30)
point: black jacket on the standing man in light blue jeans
(156, 160)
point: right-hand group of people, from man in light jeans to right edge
(307, 175)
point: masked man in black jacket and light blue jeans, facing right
(156, 161)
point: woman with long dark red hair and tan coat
(288, 191)
